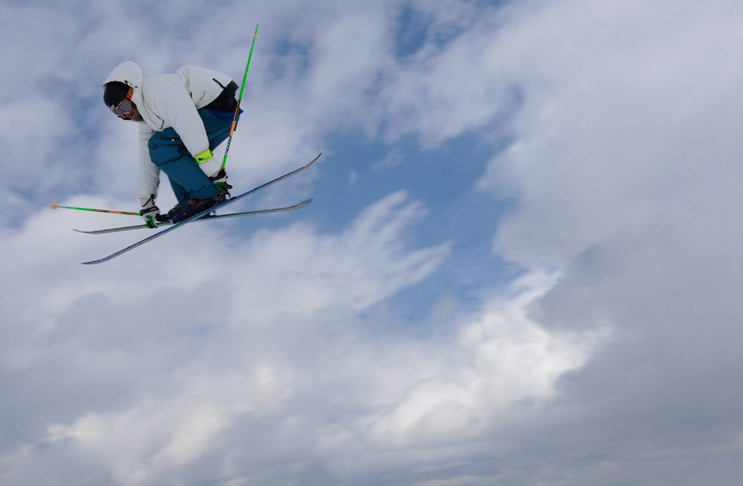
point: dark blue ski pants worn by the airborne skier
(168, 152)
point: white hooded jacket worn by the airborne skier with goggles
(165, 101)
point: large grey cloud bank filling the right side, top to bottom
(622, 169)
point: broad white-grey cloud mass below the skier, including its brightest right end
(280, 339)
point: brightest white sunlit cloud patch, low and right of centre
(503, 357)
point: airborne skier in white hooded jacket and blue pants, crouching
(182, 117)
